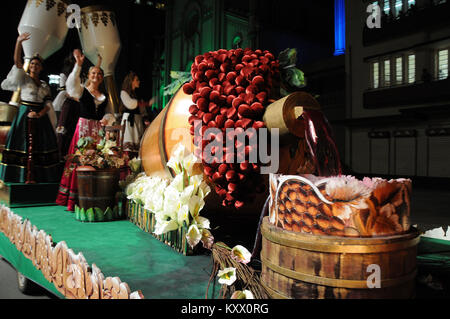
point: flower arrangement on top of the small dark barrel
(104, 154)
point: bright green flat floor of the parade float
(119, 249)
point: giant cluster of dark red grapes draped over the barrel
(230, 90)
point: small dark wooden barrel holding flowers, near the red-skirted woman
(97, 188)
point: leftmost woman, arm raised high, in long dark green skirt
(35, 104)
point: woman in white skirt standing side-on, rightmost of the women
(133, 109)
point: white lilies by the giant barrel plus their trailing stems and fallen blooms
(177, 203)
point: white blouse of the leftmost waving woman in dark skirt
(17, 77)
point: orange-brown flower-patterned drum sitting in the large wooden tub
(340, 205)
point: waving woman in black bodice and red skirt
(94, 113)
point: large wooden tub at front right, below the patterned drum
(305, 266)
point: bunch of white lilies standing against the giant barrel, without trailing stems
(176, 203)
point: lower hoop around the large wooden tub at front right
(332, 282)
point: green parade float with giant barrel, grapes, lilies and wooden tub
(318, 230)
